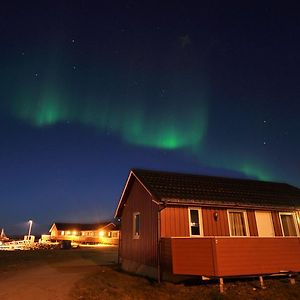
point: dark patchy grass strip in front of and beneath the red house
(112, 283)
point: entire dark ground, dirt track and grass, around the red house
(92, 273)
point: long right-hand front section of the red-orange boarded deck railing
(257, 256)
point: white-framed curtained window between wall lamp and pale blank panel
(238, 224)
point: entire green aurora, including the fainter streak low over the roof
(138, 124)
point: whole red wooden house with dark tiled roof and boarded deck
(183, 224)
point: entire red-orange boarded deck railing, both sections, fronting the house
(222, 256)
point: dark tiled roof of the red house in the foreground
(177, 187)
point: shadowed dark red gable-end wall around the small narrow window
(144, 249)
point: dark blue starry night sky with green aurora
(90, 89)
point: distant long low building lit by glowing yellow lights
(107, 233)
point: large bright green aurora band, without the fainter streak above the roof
(136, 124)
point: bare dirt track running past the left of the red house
(51, 279)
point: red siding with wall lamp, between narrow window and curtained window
(212, 227)
